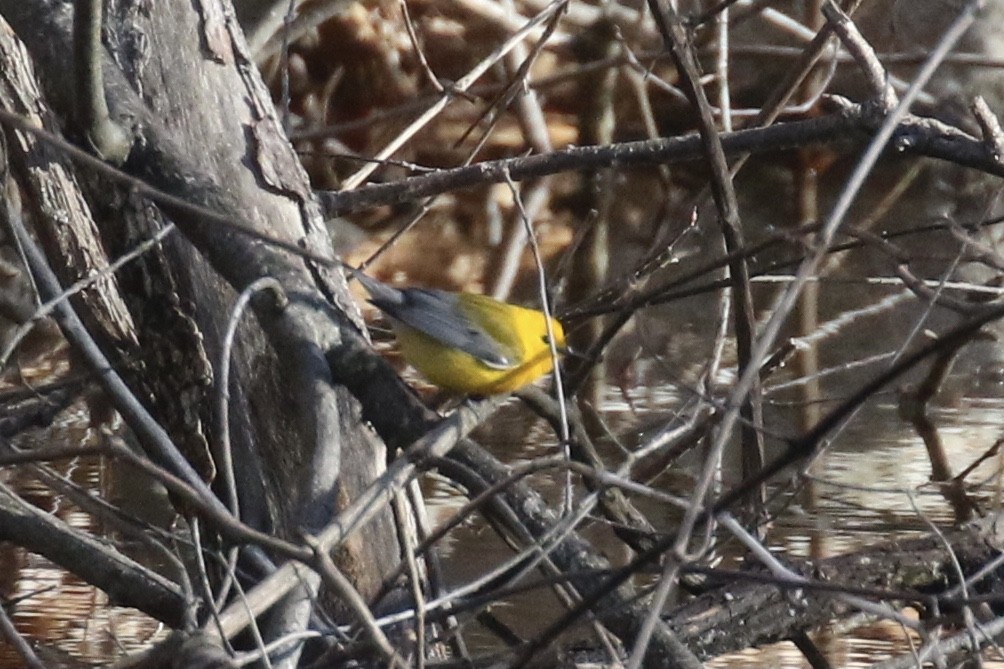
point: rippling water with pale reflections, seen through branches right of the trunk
(873, 484)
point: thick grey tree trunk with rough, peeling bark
(206, 132)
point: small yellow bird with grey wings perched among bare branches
(467, 343)
